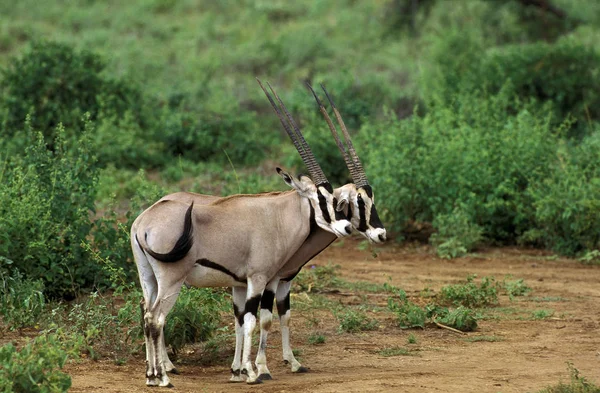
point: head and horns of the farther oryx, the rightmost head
(359, 196)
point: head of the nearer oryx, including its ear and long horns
(315, 188)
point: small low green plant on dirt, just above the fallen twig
(470, 294)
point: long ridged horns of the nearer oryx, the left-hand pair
(314, 170)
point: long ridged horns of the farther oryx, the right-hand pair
(359, 177)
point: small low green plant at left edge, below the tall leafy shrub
(21, 300)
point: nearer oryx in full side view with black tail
(236, 241)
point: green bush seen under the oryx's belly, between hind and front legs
(195, 317)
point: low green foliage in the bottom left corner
(34, 368)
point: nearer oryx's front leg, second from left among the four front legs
(253, 295)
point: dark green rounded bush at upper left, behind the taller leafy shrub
(57, 84)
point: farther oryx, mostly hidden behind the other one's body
(357, 202)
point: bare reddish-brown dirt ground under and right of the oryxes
(526, 356)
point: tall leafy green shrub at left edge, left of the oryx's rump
(46, 200)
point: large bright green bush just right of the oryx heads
(469, 153)
